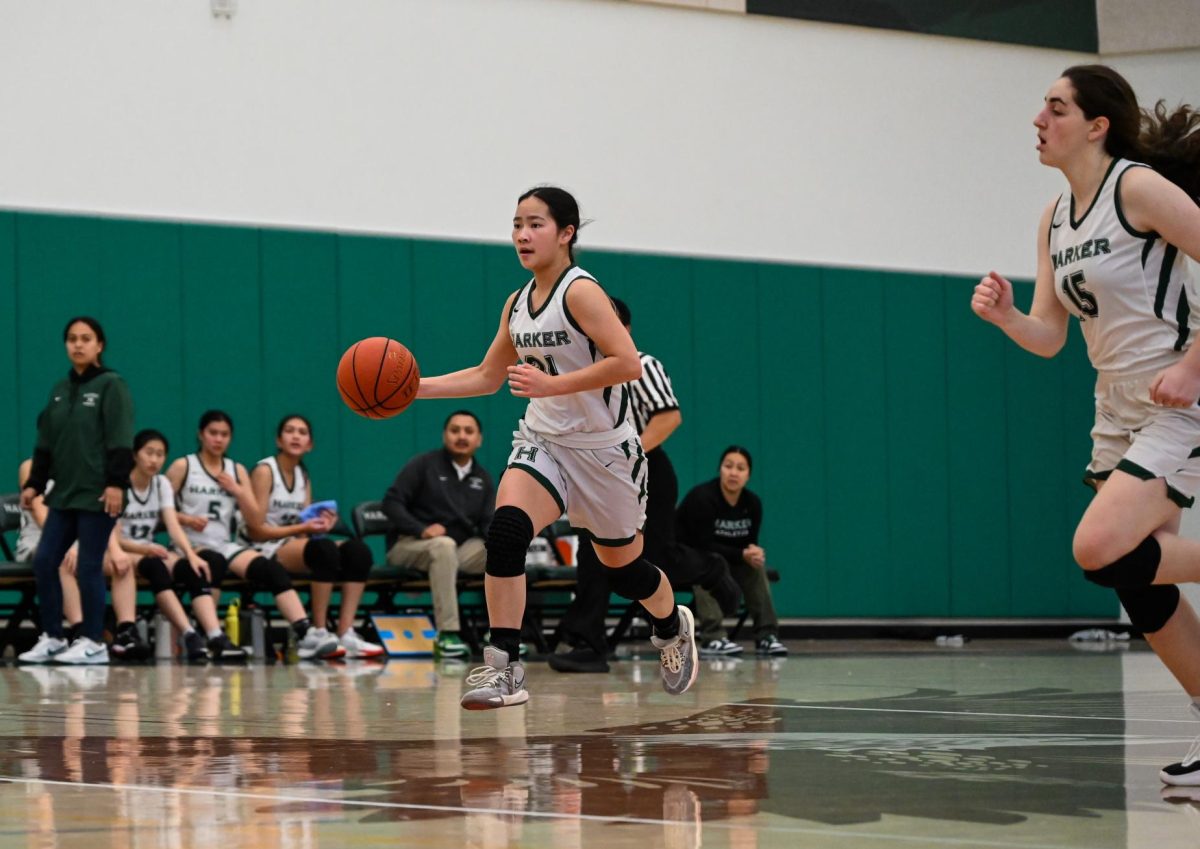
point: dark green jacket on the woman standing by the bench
(85, 439)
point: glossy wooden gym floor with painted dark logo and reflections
(850, 745)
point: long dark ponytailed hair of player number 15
(1166, 140)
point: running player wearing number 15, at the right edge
(1112, 252)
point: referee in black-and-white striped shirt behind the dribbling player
(657, 417)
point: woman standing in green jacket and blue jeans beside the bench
(83, 444)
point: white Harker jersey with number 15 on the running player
(1132, 293)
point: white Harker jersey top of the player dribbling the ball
(551, 340)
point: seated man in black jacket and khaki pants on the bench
(440, 507)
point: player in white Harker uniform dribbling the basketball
(575, 450)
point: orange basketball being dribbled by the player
(379, 378)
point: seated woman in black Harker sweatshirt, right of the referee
(724, 517)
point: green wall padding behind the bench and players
(913, 462)
